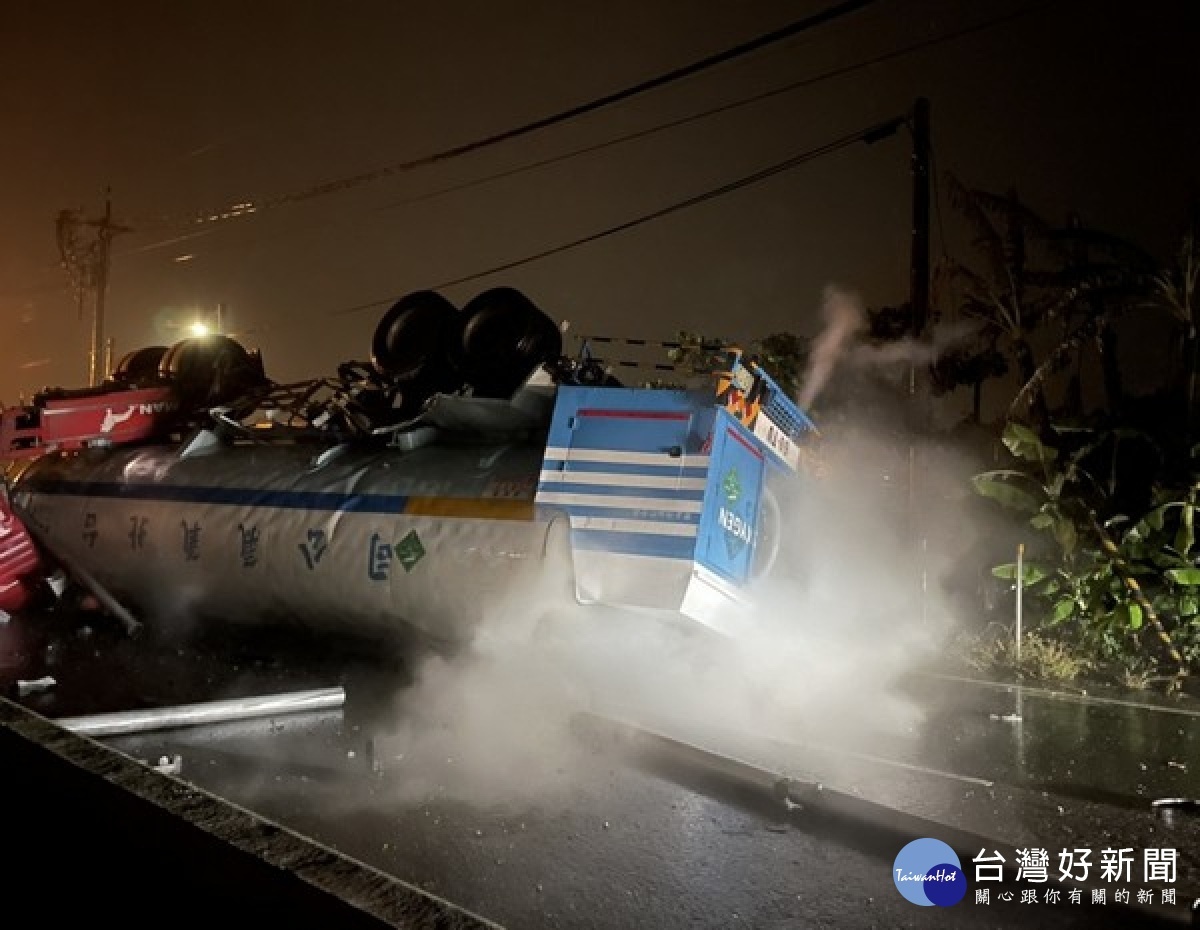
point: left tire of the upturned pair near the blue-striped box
(413, 338)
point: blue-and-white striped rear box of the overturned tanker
(668, 493)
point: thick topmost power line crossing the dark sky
(791, 31)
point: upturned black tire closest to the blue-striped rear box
(505, 339)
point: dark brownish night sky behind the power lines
(184, 109)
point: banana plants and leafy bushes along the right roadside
(1108, 491)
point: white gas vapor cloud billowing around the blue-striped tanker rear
(851, 605)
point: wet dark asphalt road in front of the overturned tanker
(620, 835)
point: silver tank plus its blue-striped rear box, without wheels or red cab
(644, 500)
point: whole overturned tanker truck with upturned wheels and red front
(469, 458)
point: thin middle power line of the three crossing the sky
(669, 125)
